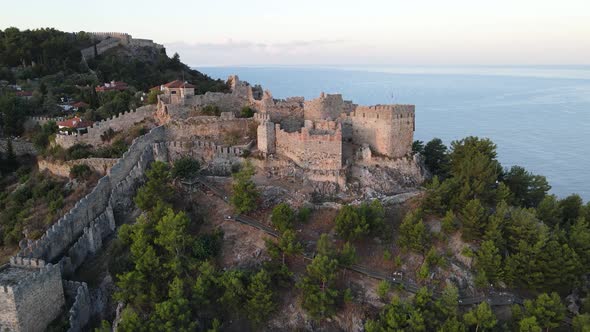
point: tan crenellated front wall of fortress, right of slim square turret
(313, 148)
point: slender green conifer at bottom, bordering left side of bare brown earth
(260, 302)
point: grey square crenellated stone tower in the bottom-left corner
(31, 295)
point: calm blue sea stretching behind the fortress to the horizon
(538, 117)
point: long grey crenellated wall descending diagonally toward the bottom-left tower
(93, 215)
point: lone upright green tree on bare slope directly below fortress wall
(245, 193)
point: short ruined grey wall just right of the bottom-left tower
(80, 312)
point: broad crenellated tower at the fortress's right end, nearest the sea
(388, 129)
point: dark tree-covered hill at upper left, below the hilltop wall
(36, 53)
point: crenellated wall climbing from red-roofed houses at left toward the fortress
(117, 122)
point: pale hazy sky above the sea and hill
(327, 32)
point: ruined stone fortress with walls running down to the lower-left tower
(326, 142)
